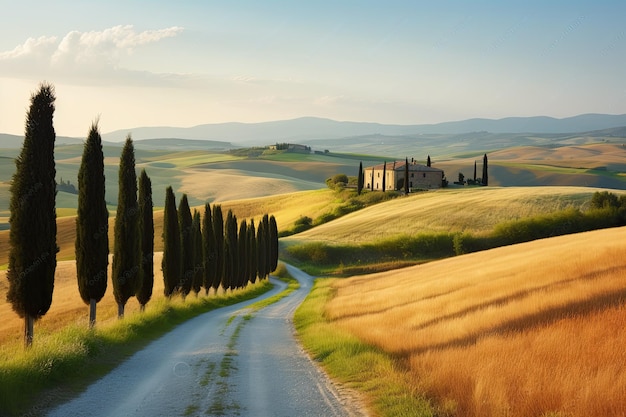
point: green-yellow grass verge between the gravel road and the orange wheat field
(365, 368)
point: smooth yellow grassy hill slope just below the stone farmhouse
(475, 210)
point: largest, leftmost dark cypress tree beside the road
(32, 237)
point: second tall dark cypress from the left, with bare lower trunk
(92, 225)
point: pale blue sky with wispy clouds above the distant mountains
(185, 63)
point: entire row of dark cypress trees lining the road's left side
(198, 254)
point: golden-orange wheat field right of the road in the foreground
(523, 330)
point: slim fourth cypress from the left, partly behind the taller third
(146, 227)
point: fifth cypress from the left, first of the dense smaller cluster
(171, 263)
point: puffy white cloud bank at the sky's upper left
(83, 54)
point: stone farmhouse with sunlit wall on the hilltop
(420, 176)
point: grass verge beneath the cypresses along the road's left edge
(60, 364)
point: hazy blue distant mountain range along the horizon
(229, 135)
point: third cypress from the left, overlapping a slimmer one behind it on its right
(126, 251)
